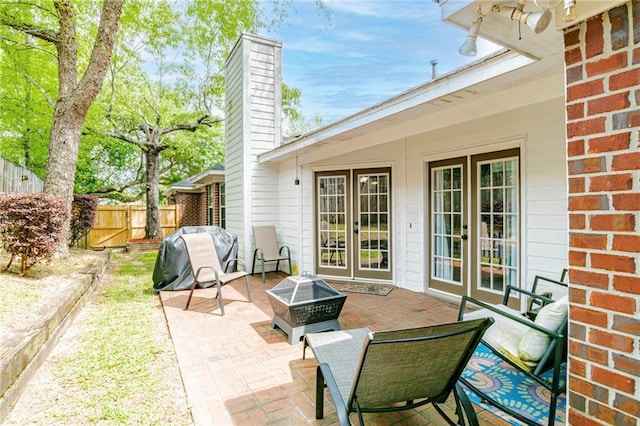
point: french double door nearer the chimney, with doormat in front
(353, 223)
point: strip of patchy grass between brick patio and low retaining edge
(116, 363)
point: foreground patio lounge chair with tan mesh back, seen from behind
(373, 372)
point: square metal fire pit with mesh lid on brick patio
(305, 304)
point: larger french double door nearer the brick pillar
(474, 224)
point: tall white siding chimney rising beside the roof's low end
(253, 105)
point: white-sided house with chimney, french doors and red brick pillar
(518, 164)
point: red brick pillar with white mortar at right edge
(602, 58)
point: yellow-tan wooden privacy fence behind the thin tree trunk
(115, 225)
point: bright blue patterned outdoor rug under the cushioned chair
(497, 378)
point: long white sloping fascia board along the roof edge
(487, 68)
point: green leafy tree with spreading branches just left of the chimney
(169, 106)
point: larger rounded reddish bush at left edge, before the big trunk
(31, 226)
